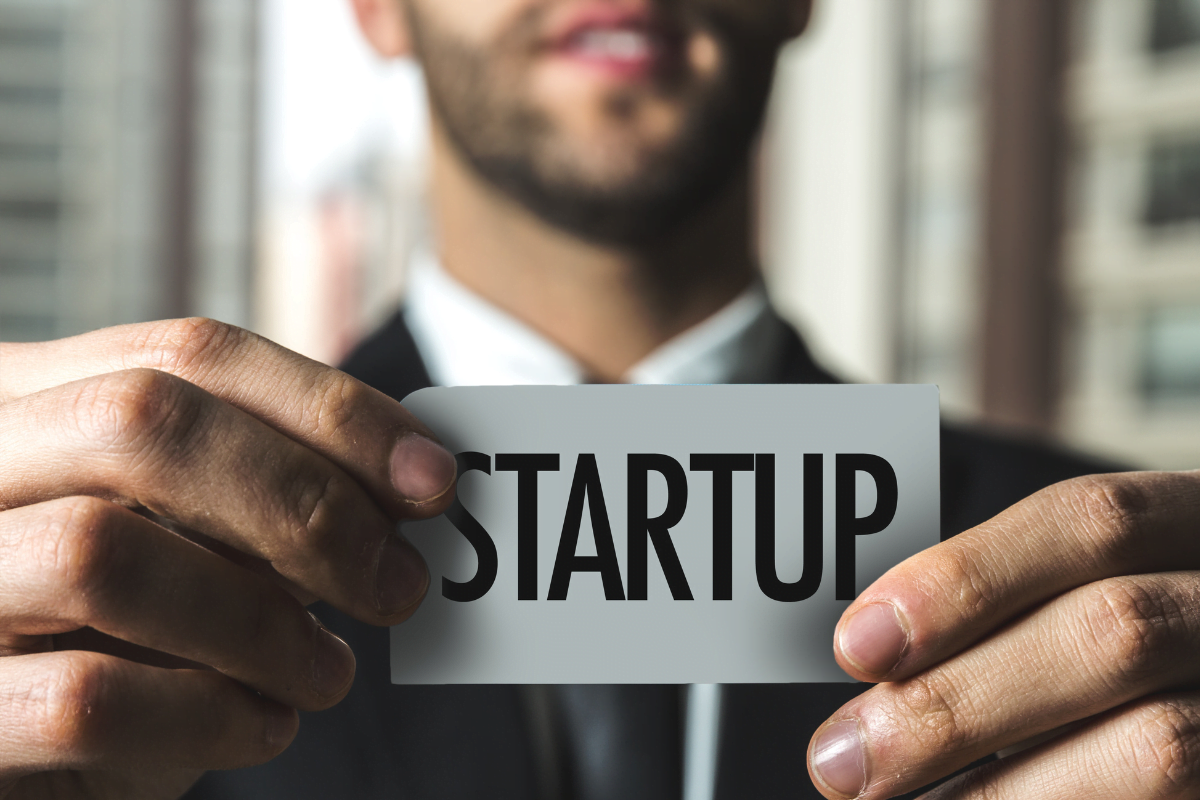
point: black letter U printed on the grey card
(765, 530)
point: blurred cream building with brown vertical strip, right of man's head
(1022, 225)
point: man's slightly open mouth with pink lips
(625, 44)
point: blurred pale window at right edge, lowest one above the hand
(1172, 356)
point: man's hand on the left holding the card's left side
(295, 473)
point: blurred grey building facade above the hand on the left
(127, 163)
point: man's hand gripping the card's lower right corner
(1075, 613)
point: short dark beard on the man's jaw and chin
(627, 193)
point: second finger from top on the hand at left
(147, 438)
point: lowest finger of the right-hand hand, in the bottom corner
(1149, 750)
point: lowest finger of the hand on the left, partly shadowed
(86, 711)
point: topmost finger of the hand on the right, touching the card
(941, 601)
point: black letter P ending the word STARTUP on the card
(848, 526)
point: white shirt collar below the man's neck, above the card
(466, 341)
